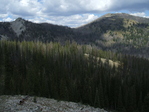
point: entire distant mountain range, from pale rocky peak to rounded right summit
(118, 32)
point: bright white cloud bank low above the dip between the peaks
(72, 21)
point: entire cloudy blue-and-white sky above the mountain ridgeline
(72, 13)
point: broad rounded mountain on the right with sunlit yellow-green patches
(119, 32)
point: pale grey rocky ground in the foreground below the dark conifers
(11, 104)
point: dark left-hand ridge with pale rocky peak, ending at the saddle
(21, 29)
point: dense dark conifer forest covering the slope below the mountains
(64, 73)
